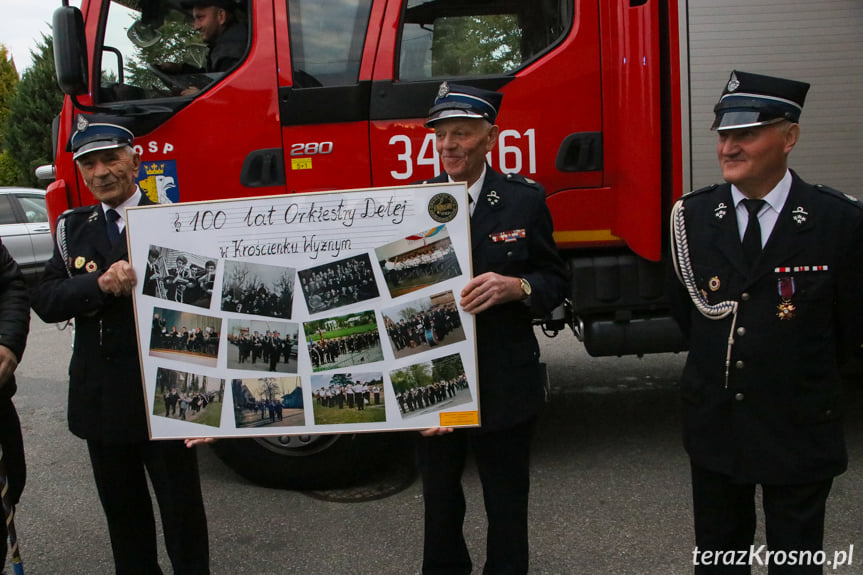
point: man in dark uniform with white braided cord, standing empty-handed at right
(769, 297)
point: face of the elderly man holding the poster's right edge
(462, 144)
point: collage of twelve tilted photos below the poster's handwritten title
(358, 341)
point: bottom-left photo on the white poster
(188, 397)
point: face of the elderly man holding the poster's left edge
(110, 174)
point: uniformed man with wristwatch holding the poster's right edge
(514, 282)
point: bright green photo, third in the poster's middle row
(343, 341)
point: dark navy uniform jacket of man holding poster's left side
(106, 398)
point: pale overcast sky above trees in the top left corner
(22, 25)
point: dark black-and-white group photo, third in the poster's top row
(338, 284)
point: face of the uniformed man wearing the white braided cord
(755, 159)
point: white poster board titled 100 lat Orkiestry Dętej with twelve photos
(308, 313)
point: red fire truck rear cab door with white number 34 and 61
(543, 56)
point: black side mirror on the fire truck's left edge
(70, 51)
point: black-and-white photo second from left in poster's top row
(258, 289)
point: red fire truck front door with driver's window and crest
(201, 122)
